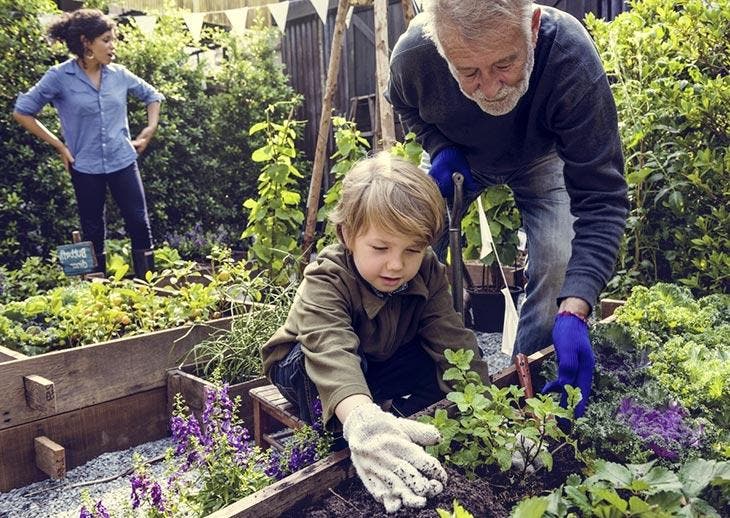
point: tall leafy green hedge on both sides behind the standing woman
(198, 168)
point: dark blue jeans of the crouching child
(409, 372)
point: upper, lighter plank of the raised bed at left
(92, 374)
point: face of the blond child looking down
(384, 260)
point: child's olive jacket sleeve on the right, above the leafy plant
(441, 327)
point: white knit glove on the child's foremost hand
(386, 454)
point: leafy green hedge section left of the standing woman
(37, 204)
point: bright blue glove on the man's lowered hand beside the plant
(575, 359)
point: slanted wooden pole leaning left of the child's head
(325, 120)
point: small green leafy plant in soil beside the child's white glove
(490, 425)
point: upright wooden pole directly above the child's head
(382, 62)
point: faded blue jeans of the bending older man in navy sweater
(544, 205)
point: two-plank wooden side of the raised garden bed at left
(86, 401)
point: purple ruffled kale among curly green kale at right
(664, 430)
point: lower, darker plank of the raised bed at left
(85, 434)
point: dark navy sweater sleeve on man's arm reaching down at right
(588, 142)
